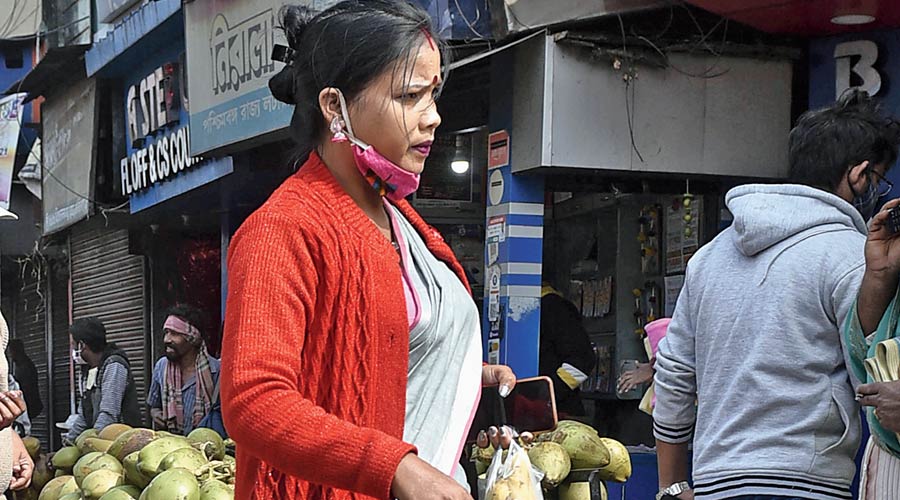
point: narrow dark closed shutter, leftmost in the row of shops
(30, 328)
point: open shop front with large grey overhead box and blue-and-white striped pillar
(606, 202)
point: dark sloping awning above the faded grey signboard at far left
(58, 67)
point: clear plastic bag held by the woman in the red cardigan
(514, 478)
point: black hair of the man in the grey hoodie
(827, 142)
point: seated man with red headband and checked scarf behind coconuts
(183, 388)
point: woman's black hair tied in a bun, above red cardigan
(345, 46)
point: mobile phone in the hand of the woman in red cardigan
(530, 406)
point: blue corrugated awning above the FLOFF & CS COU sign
(152, 15)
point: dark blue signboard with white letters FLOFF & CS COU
(158, 164)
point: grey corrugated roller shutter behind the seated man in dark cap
(109, 283)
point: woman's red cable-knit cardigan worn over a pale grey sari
(316, 345)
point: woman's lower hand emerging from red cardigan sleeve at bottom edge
(415, 479)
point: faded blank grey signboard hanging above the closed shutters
(69, 121)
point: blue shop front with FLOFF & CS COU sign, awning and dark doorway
(178, 202)
